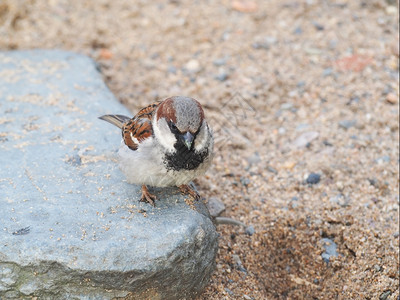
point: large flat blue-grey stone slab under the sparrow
(71, 227)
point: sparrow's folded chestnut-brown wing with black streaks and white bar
(139, 127)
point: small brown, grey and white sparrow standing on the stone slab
(168, 143)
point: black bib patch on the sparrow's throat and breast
(183, 158)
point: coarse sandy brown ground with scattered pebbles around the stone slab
(291, 88)
